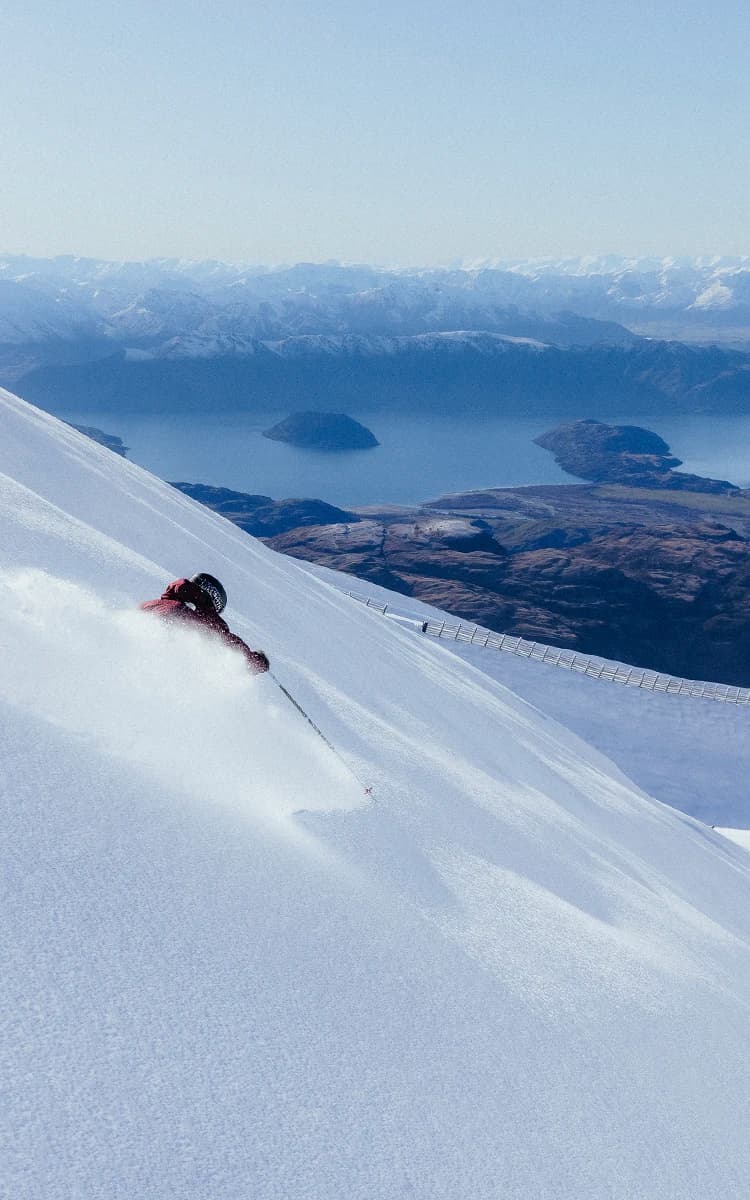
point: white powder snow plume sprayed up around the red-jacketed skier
(172, 703)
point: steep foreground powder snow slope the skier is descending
(229, 974)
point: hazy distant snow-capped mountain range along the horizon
(220, 309)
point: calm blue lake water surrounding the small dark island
(418, 459)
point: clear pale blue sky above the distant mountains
(410, 133)
